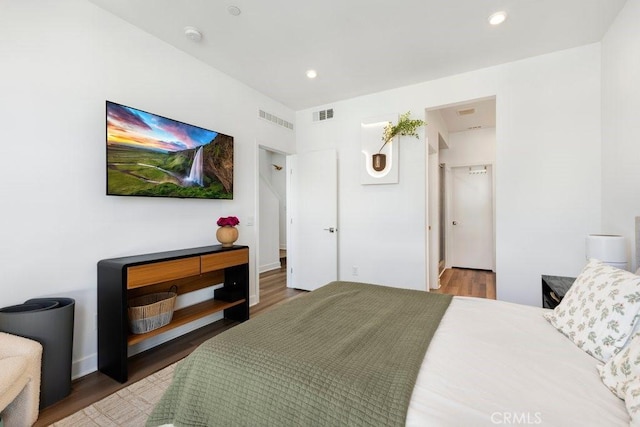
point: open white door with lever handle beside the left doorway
(312, 241)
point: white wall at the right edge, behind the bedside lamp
(620, 129)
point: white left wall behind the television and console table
(61, 61)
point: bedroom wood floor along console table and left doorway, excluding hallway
(95, 386)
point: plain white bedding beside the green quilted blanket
(497, 363)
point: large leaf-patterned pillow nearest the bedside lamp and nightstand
(600, 310)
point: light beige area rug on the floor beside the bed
(129, 407)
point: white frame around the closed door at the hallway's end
(449, 208)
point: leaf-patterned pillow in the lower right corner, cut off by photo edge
(622, 375)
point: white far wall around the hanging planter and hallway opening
(547, 172)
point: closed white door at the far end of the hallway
(472, 217)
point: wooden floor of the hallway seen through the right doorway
(465, 282)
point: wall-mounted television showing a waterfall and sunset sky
(151, 155)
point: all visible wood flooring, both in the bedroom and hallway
(273, 291)
